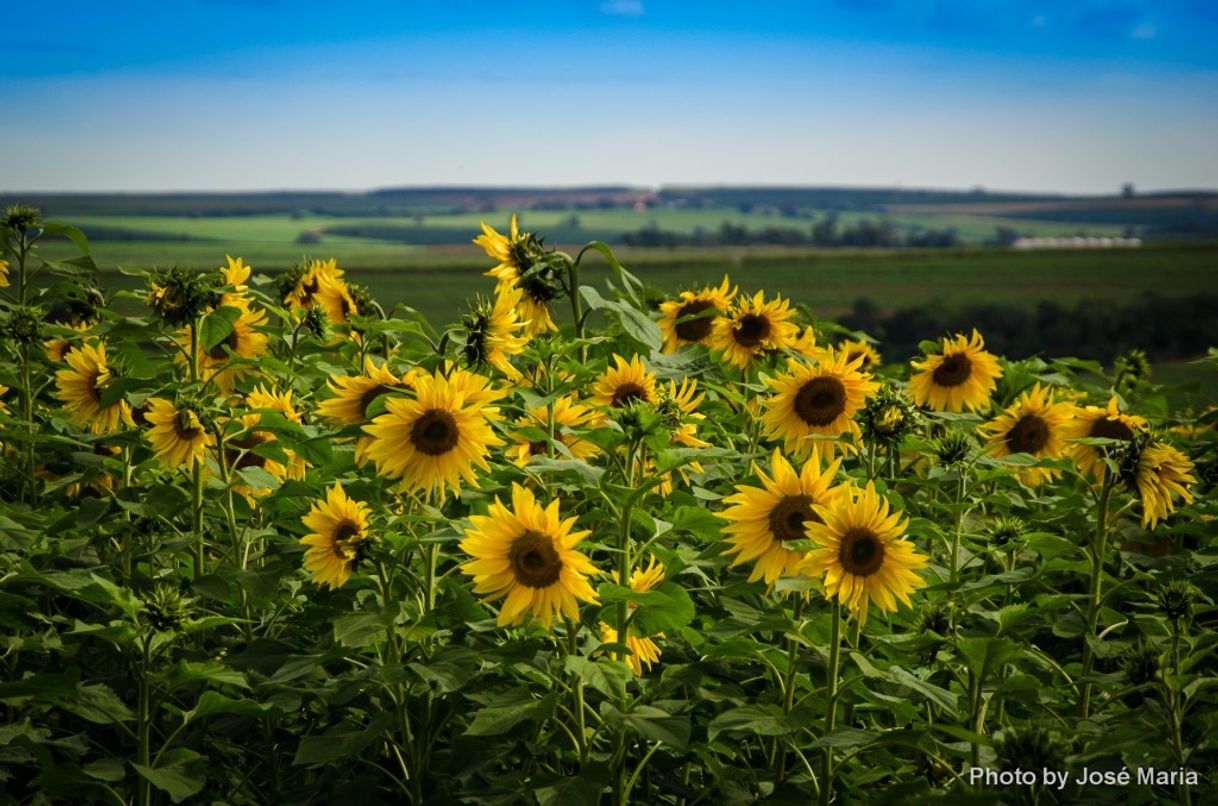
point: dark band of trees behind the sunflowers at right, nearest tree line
(1165, 328)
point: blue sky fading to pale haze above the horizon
(256, 94)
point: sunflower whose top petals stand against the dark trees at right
(959, 378)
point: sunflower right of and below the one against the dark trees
(1036, 426)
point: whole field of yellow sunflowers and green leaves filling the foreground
(267, 541)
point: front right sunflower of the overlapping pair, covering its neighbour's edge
(863, 555)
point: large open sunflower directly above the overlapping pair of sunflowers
(820, 400)
